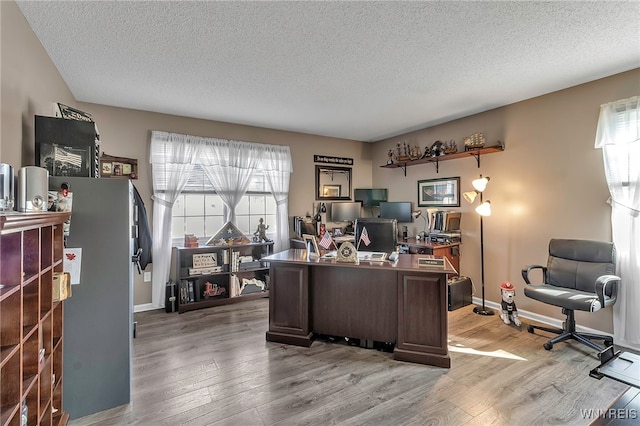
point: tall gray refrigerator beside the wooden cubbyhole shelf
(98, 318)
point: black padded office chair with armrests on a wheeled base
(579, 276)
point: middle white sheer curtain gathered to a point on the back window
(229, 165)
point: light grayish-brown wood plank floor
(214, 367)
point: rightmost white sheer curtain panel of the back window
(277, 170)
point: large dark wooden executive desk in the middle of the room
(391, 302)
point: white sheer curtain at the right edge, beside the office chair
(618, 135)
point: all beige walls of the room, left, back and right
(548, 183)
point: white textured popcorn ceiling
(356, 70)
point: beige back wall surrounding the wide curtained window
(126, 133)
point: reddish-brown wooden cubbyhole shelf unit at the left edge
(31, 322)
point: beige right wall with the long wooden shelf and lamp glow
(549, 182)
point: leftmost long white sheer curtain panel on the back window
(171, 163)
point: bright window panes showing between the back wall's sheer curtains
(199, 211)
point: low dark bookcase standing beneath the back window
(217, 275)
